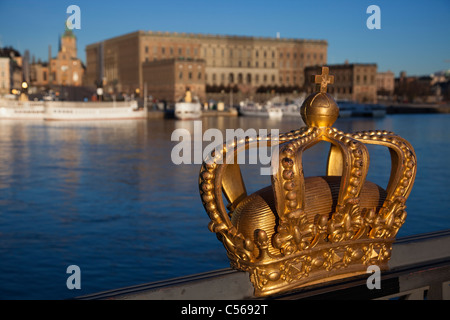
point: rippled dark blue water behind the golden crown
(106, 196)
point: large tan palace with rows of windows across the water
(150, 61)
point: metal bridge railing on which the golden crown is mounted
(419, 269)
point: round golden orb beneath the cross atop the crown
(319, 110)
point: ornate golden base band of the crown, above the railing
(322, 264)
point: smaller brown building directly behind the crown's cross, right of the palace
(352, 81)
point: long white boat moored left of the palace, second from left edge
(77, 111)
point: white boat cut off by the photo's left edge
(21, 110)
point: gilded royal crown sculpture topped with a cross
(300, 231)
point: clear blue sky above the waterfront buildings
(414, 35)
